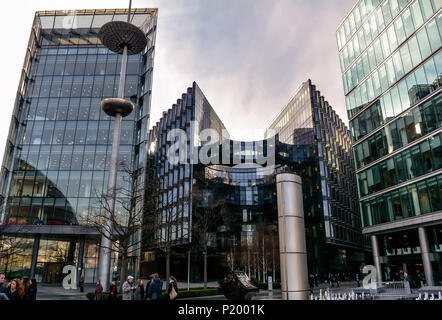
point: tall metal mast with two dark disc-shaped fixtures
(126, 39)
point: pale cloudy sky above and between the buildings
(248, 56)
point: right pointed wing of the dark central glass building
(333, 222)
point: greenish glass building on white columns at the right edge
(391, 62)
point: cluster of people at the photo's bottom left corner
(16, 289)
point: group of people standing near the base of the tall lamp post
(138, 291)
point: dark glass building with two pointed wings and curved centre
(228, 210)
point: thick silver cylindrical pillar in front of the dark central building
(293, 253)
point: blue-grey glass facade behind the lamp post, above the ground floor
(62, 147)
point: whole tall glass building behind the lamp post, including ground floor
(56, 161)
